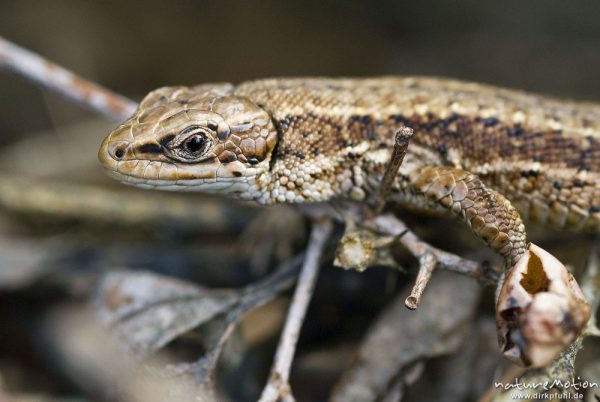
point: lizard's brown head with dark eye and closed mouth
(201, 138)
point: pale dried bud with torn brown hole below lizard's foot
(540, 309)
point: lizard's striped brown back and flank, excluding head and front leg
(541, 153)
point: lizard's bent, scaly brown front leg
(490, 216)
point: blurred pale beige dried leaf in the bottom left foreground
(93, 360)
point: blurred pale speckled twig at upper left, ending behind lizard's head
(61, 80)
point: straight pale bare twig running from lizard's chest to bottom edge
(277, 387)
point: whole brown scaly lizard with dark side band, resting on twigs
(475, 147)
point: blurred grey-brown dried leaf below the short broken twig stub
(401, 337)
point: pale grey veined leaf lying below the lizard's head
(149, 310)
